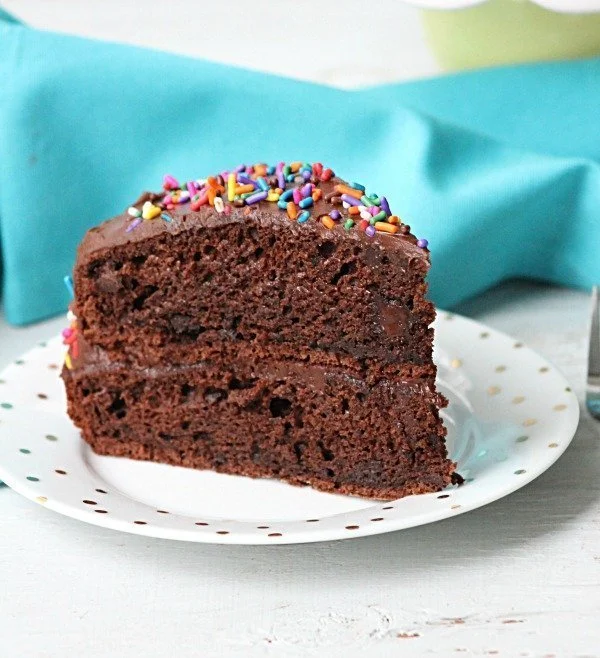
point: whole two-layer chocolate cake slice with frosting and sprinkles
(268, 321)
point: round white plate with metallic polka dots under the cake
(511, 416)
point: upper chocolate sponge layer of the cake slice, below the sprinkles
(253, 276)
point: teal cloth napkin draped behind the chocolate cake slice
(499, 169)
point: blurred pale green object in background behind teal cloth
(509, 31)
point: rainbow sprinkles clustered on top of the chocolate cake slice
(294, 187)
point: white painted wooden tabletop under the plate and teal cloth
(520, 577)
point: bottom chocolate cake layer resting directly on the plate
(304, 424)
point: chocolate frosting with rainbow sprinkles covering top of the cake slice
(286, 194)
